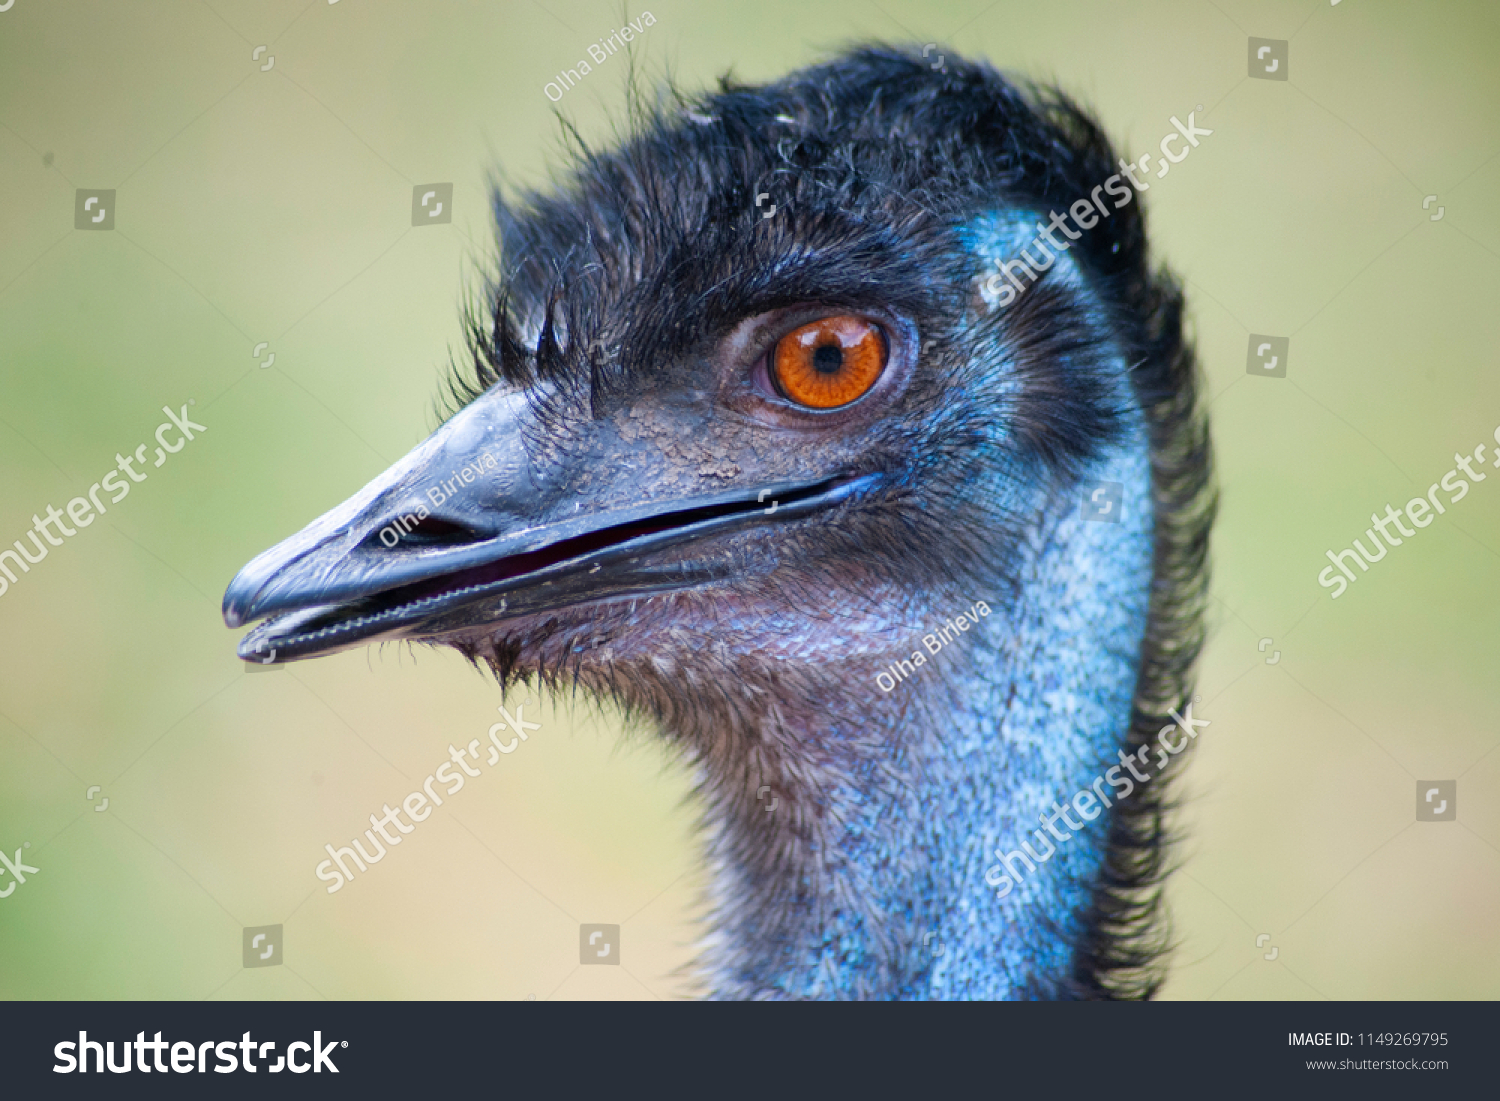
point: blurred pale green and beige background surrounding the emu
(275, 206)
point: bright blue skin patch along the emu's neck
(1025, 709)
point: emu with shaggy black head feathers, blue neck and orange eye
(745, 421)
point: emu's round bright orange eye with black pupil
(829, 364)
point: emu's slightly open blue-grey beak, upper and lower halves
(497, 538)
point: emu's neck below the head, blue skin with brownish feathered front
(869, 877)
